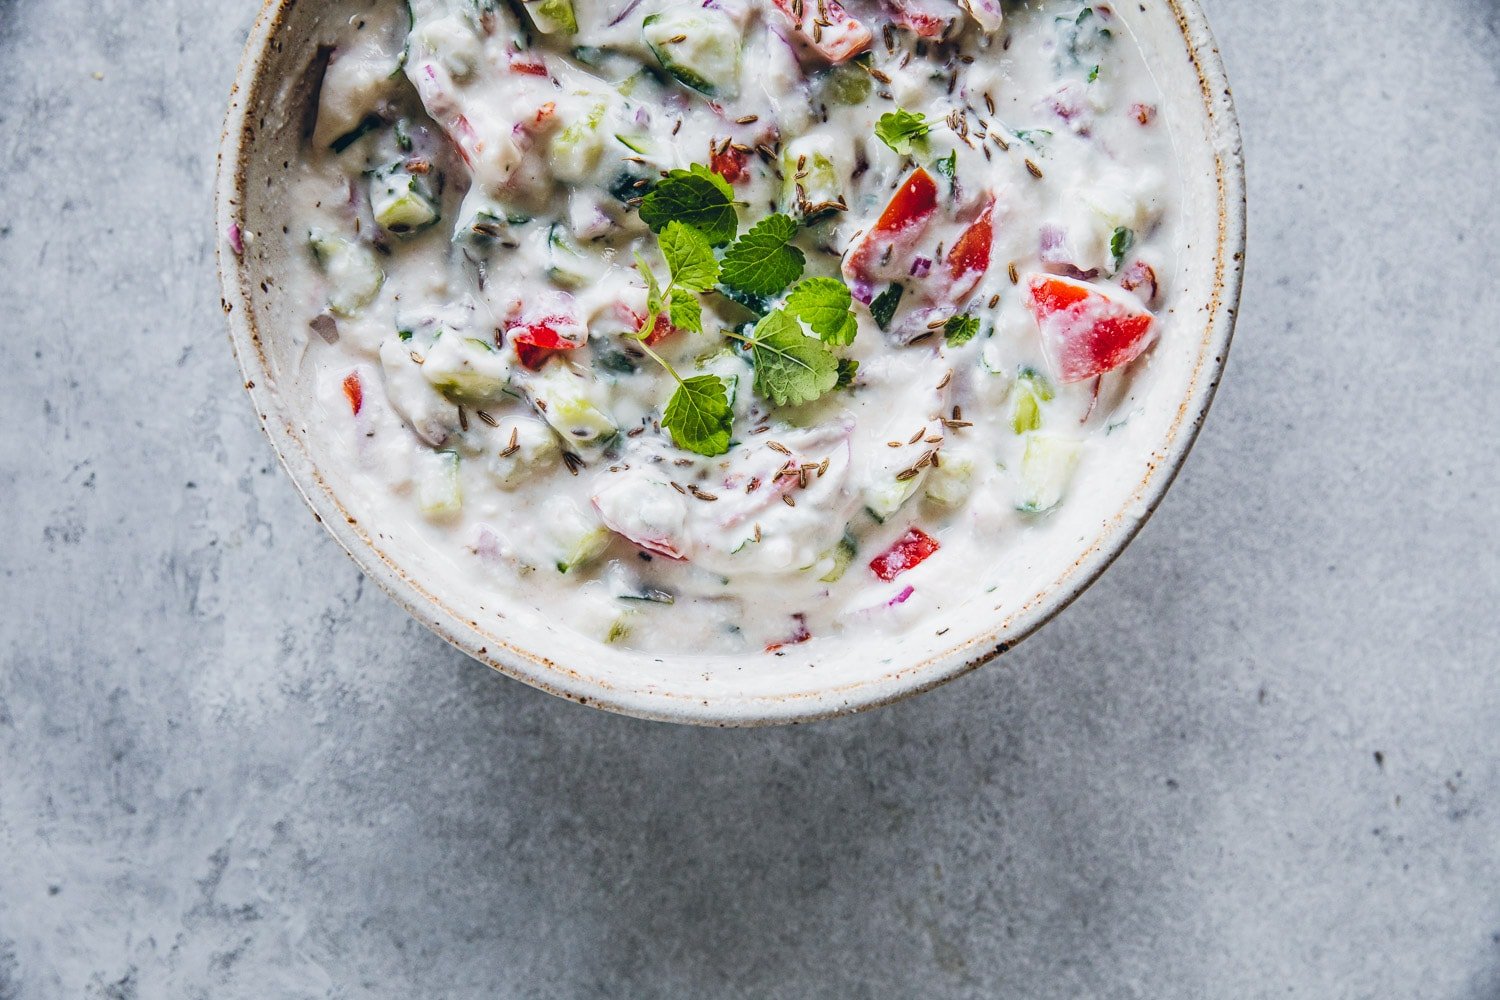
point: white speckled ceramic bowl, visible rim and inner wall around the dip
(820, 680)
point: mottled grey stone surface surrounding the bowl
(1259, 759)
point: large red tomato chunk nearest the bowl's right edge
(1085, 331)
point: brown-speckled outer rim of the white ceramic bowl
(803, 707)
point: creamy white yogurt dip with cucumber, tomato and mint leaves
(730, 325)
